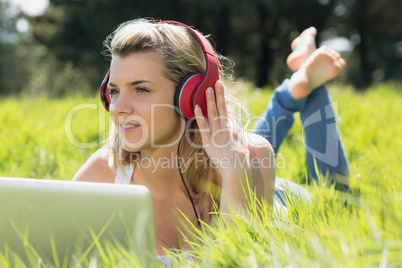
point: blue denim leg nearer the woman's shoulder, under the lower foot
(277, 119)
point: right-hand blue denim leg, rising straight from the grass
(322, 139)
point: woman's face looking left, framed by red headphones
(142, 102)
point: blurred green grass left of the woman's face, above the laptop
(37, 141)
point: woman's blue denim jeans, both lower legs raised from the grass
(322, 139)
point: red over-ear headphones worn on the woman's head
(191, 90)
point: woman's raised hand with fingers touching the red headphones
(221, 137)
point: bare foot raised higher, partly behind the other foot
(303, 46)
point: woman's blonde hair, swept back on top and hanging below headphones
(182, 54)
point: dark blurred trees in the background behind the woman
(256, 34)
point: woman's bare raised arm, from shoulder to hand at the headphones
(237, 155)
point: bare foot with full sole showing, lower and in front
(323, 65)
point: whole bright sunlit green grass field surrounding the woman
(51, 139)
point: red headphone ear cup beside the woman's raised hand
(183, 98)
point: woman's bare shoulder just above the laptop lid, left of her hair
(96, 169)
